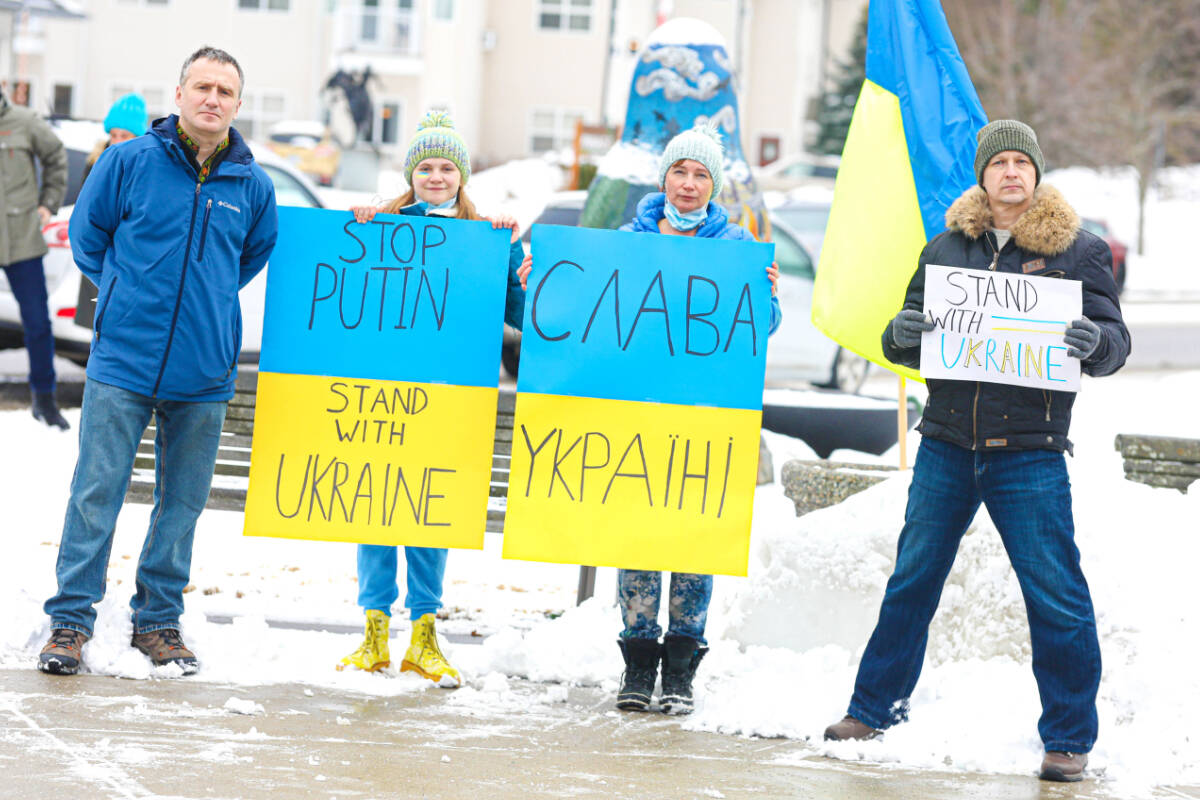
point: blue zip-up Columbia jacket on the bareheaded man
(170, 256)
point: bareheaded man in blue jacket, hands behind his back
(170, 227)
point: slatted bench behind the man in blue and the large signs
(232, 472)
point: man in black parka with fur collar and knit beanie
(1001, 446)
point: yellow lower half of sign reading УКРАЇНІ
(641, 486)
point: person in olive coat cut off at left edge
(26, 208)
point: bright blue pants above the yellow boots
(377, 579)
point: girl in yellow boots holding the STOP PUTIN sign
(437, 169)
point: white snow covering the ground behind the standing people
(785, 642)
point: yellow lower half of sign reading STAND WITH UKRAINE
(377, 462)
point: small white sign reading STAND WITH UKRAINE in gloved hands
(1000, 328)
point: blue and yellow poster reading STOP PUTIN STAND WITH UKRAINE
(377, 392)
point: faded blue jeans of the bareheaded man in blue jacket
(111, 426)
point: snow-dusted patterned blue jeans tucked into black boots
(687, 612)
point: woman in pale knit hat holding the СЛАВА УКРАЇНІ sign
(691, 175)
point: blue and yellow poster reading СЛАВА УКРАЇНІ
(639, 402)
